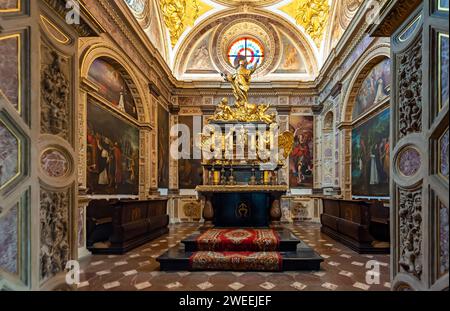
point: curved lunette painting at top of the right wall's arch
(375, 88)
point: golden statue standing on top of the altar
(240, 82)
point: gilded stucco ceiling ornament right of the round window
(312, 15)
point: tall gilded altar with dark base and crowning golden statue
(242, 154)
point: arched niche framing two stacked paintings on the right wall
(357, 127)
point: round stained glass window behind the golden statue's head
(246, 49)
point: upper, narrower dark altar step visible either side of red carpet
(288, 241)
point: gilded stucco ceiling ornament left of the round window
(180, 14)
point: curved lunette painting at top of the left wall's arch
(108, 77)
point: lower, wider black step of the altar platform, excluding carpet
(303, 259)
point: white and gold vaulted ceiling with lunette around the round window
(195, 37)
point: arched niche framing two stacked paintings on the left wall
(113, 123)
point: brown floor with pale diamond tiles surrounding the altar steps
(342, 270)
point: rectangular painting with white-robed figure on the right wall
(371, 157)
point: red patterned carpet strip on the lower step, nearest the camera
(236, 261)
